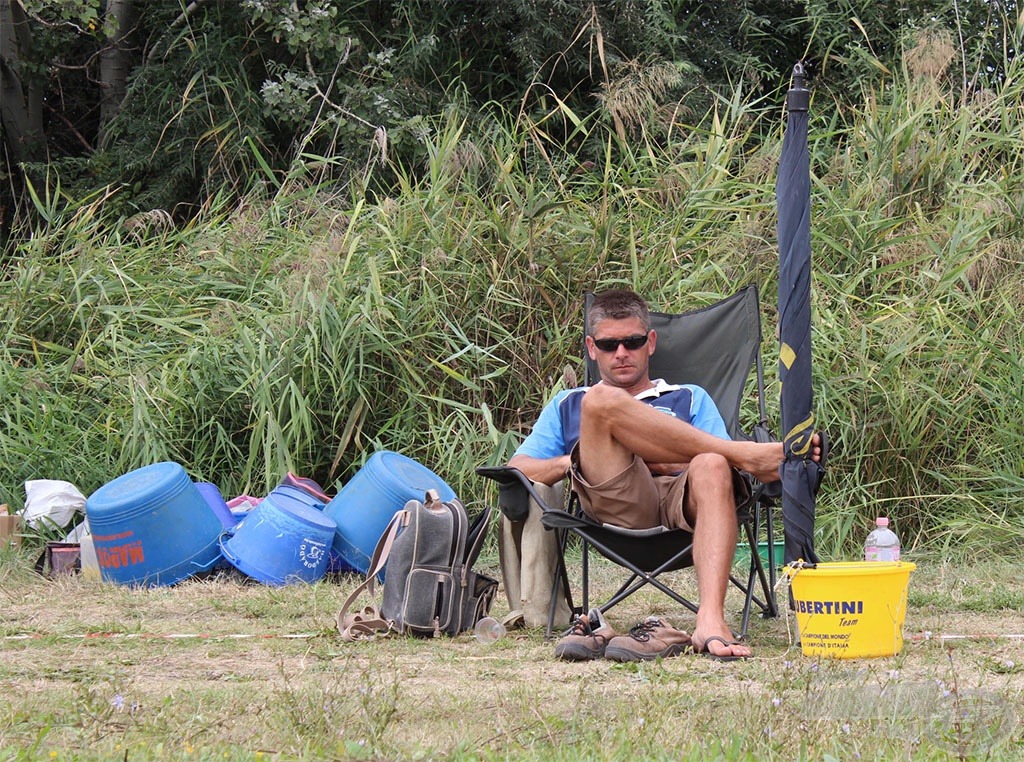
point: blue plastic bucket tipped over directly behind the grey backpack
(366, 504)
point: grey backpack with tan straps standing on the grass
(431, 588)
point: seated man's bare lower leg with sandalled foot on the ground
(711, 510)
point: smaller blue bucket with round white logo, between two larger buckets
(281, 545)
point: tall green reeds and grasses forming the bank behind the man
(305, 329)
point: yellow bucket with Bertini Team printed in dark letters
(851, 610)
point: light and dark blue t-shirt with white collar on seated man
(558, 430)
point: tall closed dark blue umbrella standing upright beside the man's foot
(801, 475)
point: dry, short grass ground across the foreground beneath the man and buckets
(225, 670)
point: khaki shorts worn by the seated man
(636, 499)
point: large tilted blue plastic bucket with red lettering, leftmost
(152, 527)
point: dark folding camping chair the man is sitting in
(717, 348)
